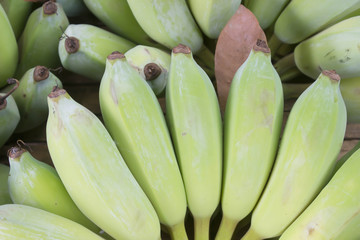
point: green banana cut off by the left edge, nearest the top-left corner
(8, 49)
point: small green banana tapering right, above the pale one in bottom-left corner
(36, 184)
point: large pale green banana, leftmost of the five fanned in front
(94, 173)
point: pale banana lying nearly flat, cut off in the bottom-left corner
(25, 222)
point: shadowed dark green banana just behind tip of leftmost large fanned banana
(31, 97)
